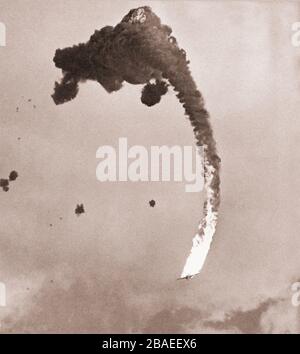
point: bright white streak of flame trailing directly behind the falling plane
(207, 228)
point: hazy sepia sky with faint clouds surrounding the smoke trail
(114, 268)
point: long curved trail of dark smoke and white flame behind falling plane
(140, 50)
